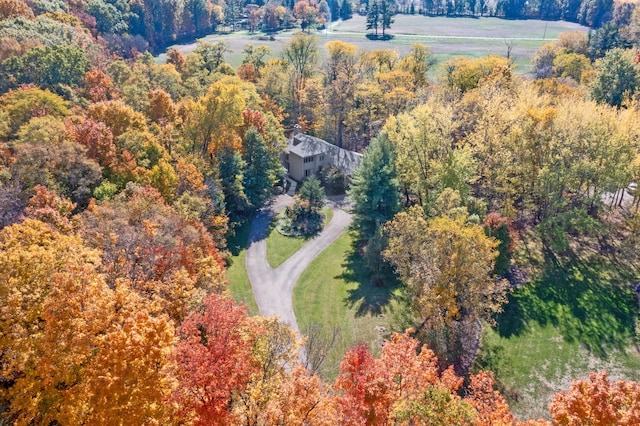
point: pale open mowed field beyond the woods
(447, 37)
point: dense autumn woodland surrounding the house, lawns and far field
(121, 180)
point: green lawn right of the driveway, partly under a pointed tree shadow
(334, 292)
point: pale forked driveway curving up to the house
(273, 288)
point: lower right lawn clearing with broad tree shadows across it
(577, 316)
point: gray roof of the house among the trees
(306, 146)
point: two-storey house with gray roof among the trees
(307, 154)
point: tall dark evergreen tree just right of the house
(375, 188)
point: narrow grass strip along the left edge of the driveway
(239, 283)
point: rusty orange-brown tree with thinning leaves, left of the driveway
(172, 262)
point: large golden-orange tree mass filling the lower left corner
(74, 349)
